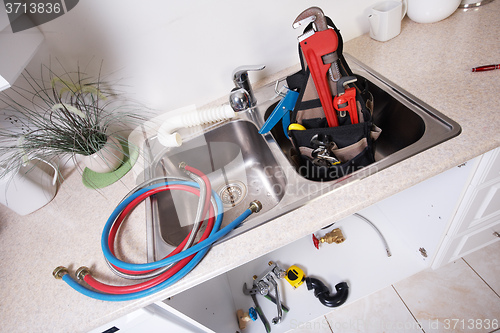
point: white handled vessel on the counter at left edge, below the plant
(28, 188)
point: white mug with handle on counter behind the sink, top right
(385, 19)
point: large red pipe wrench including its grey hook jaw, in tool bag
(319, 48)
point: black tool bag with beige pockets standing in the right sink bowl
(327, 153)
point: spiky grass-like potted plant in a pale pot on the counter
(72, 115)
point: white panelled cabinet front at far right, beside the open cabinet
(476, 223)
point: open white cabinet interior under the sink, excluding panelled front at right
(413, 222)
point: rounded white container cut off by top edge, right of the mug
(430, 11)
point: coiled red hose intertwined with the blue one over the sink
(179, 265)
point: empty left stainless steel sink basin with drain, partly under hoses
(240, 166)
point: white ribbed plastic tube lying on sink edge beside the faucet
(169, 138)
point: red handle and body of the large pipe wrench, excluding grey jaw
(315, 45)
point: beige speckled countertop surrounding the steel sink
(431, 61)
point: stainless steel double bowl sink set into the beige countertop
(244, 165)
